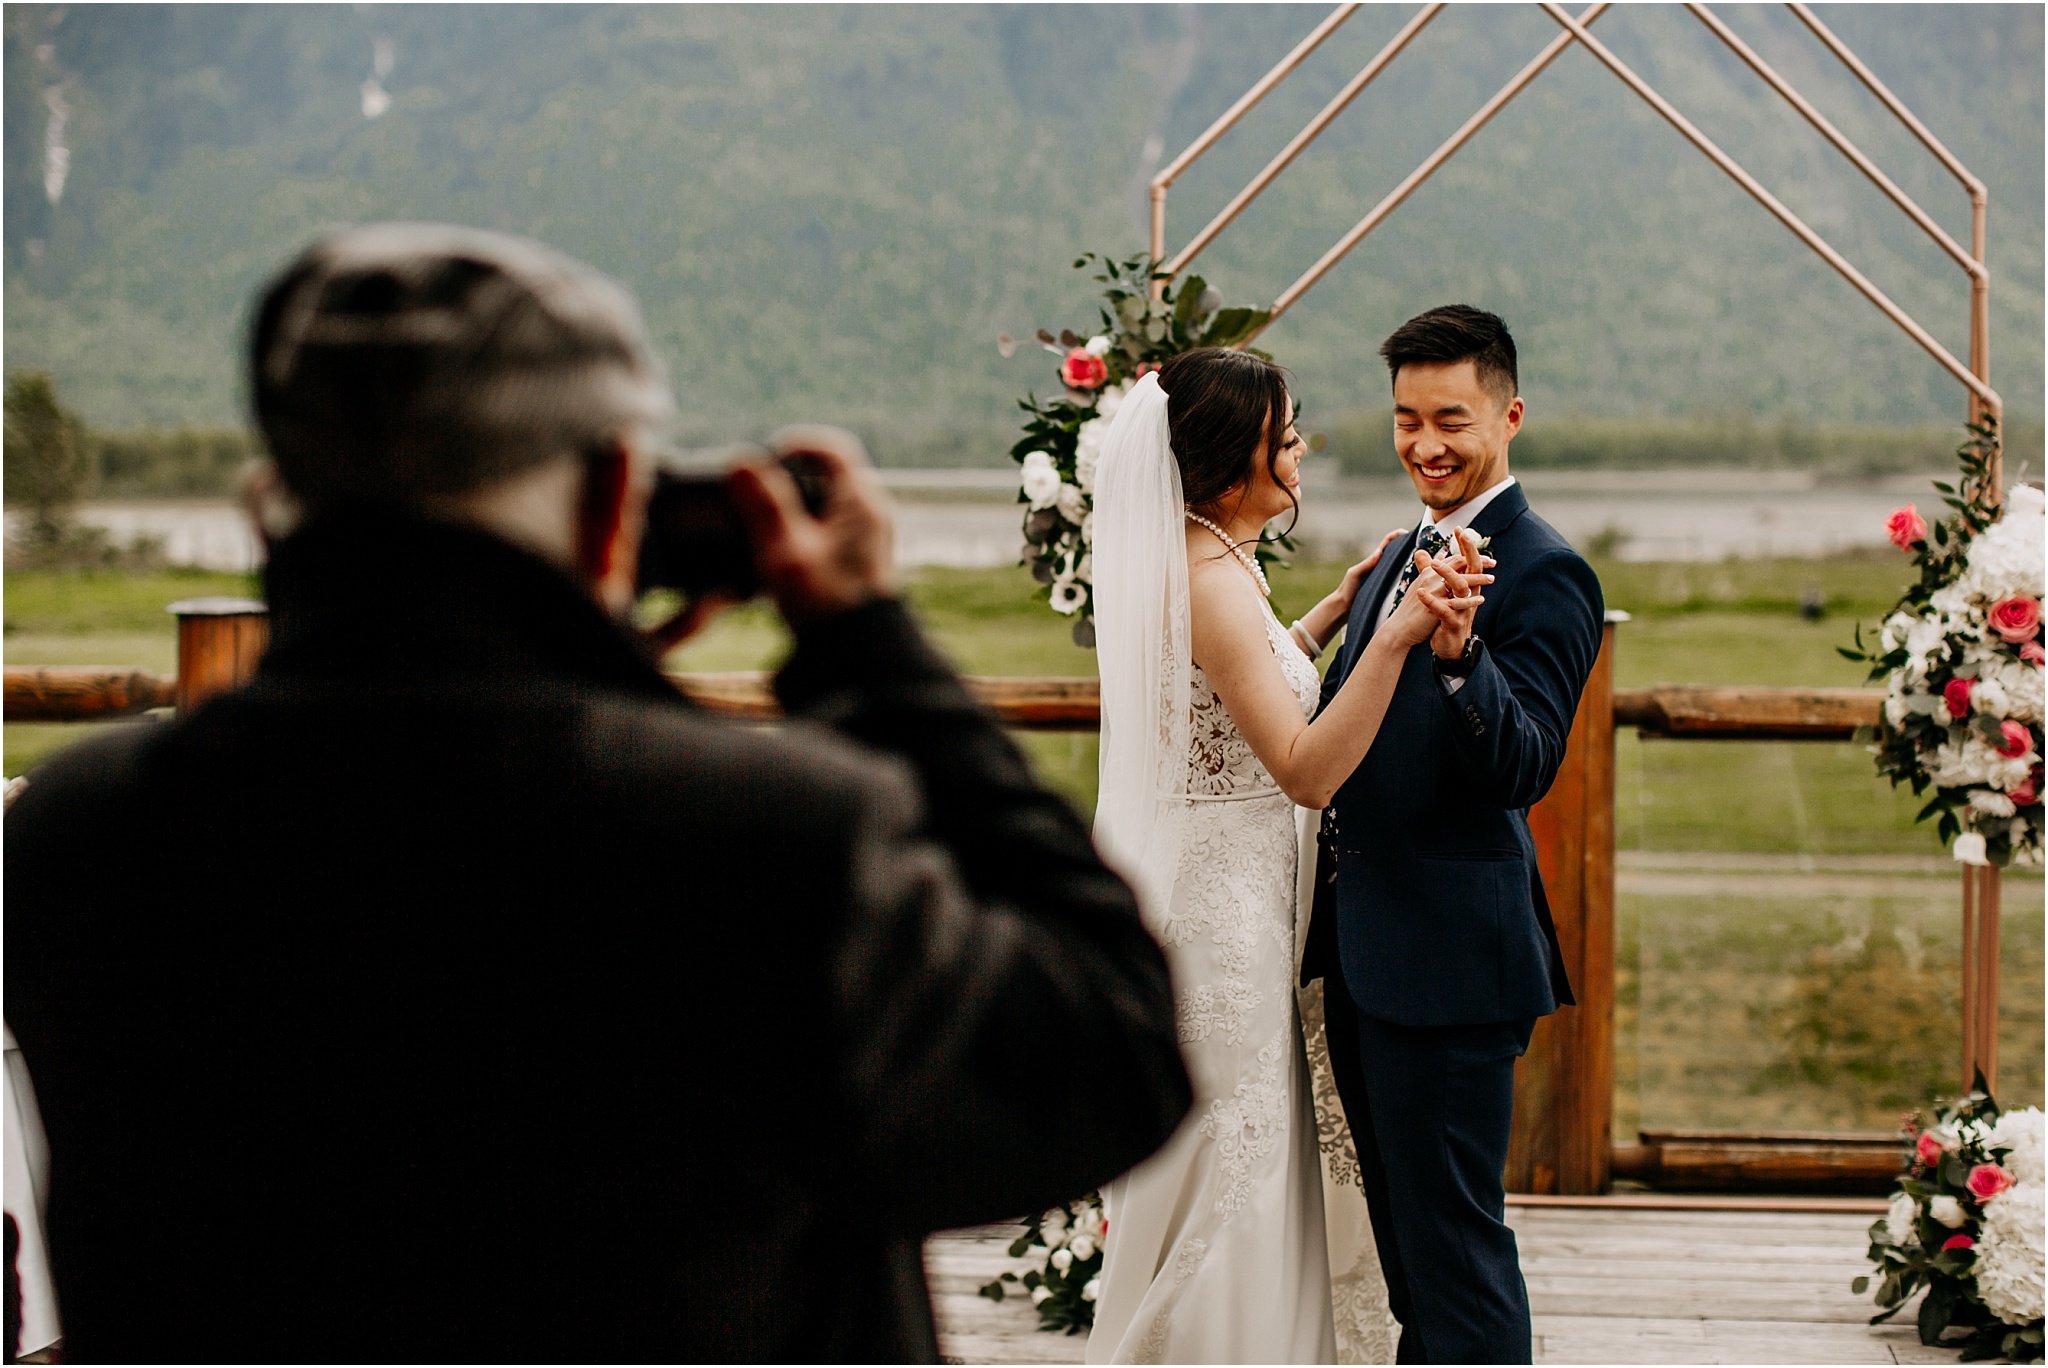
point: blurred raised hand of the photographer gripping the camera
(839, 560)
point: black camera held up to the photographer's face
(697, 542)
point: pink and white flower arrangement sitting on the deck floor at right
(1967, 1228)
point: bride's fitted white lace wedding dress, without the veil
(1246, 1238)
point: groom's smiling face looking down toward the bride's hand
(1451, 431)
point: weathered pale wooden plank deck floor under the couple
(1609, 1285)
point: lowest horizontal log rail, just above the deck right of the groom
(1785, 1160)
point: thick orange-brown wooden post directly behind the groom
(1564, 1136)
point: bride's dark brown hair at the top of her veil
(1222, 411)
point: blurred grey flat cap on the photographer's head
(417, 359)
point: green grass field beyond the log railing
(1779, 966)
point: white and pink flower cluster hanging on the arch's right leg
(1961, 660)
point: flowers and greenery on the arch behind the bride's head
(1064, 433)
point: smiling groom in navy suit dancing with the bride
(1443, 953)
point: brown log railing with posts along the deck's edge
(1564, 1136)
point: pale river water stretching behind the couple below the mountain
(970, 519)
